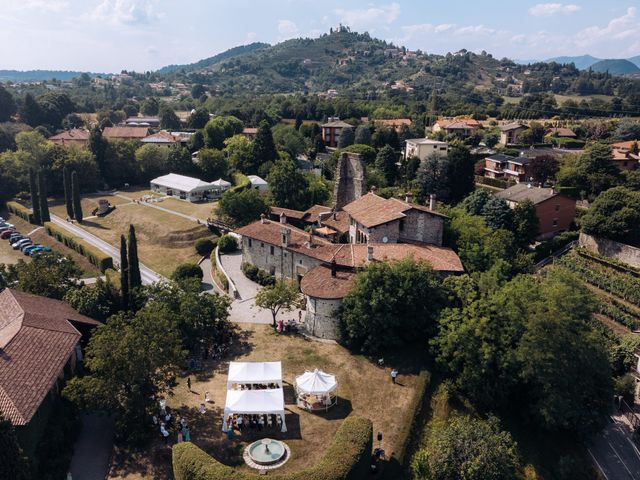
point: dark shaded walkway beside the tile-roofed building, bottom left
(92, 450)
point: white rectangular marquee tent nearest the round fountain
(250, 402)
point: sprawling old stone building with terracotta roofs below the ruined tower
(380, 230)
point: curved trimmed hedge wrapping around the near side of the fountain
(347, 458)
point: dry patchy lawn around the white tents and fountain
(363, 389)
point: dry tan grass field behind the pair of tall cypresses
(164, 240)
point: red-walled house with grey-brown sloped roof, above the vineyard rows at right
(555, 212)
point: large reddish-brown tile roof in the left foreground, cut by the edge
(37, 339)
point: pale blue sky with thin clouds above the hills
(111, 35)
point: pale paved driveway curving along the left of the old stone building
(243, 309)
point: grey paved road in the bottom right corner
(614, 454)
